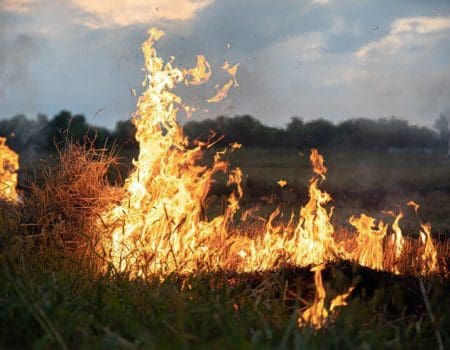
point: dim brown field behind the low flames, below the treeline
(358, 182)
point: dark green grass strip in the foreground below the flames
(46, 308)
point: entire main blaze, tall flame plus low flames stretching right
(161, 226)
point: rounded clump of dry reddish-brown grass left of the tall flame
(62, 214)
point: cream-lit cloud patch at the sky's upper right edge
(405, 33)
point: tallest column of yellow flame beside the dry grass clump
(159, 226)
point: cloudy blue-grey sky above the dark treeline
(333, 59)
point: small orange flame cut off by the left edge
(9, 164)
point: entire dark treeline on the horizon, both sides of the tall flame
(44, 135)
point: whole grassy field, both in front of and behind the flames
(49, 299)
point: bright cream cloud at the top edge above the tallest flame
(124, 13)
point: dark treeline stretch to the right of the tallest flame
(361, 133)
